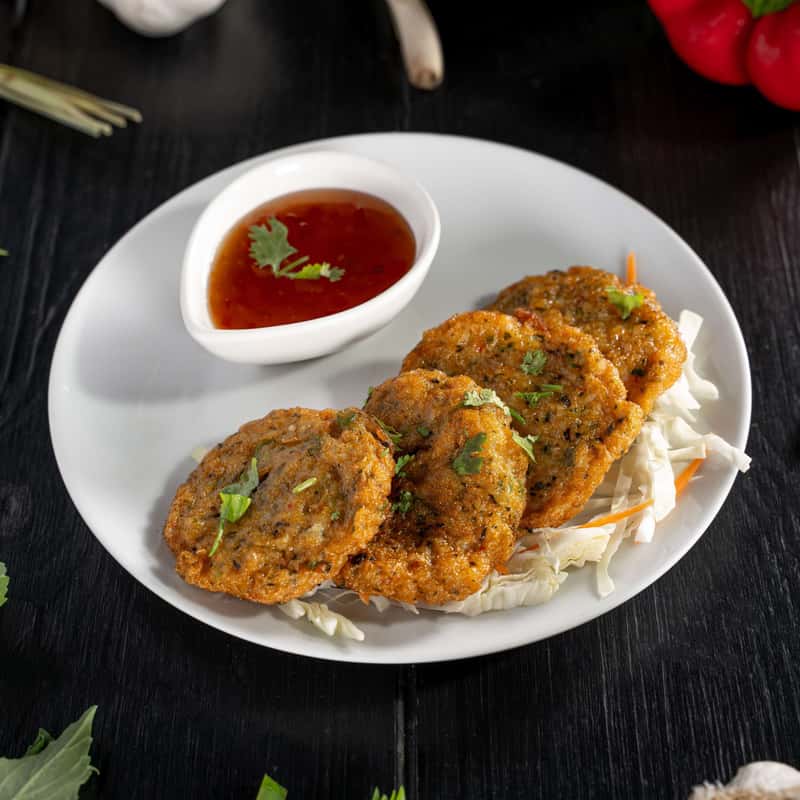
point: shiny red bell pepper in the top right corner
(739, 42)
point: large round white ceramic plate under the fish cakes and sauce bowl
(131, 395)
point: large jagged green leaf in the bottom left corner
(55, 771)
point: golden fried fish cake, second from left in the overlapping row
(457, 497)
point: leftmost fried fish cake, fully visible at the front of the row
(324, 480)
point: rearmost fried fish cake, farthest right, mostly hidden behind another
(645, 348)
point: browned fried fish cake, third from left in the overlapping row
(560, 389)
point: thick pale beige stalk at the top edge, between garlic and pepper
(419, 42)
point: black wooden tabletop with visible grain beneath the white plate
(695, 676)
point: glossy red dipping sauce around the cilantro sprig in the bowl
(359, 233)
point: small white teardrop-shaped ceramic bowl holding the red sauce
(317, 337)
